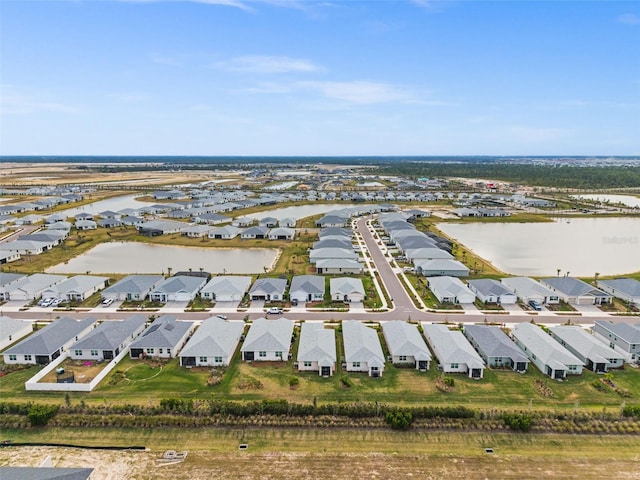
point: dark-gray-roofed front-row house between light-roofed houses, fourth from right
(496, 348)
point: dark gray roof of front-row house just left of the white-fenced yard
(50, 338)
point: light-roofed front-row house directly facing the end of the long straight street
(406, 345)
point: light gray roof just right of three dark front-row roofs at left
(215, 337)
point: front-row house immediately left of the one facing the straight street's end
(362, 349)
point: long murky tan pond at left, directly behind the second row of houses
(133, 257)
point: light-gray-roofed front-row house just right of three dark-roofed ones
(213, 344)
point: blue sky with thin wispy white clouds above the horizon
(304, 77)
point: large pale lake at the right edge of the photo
(581, 246)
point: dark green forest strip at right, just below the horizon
(542, 175)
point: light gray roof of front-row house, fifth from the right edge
(450, 346)
